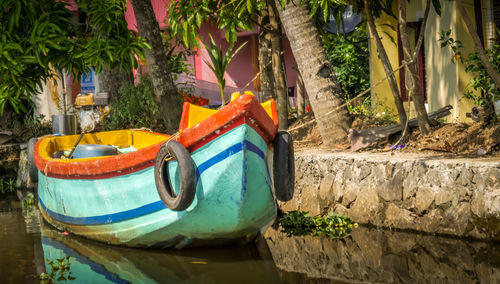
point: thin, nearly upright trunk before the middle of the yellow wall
(414, 89)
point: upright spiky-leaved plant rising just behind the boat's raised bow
(220, 61)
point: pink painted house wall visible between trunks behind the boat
(239, 72)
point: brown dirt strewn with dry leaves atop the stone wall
(455, 139)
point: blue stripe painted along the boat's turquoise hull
(155, 206)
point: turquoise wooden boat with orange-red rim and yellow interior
(118, 199)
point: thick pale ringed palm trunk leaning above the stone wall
(325, 95)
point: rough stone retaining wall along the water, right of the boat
(433, 194)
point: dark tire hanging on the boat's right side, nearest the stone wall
(283, 166)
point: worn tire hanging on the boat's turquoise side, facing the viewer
(187, 188)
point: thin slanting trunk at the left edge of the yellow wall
(385, 63)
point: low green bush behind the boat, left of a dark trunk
(135, 107)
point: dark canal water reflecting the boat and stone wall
(367, 255)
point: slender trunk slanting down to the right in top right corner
(495, 76)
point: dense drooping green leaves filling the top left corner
(38, 37)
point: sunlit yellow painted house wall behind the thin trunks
(446, 82)
